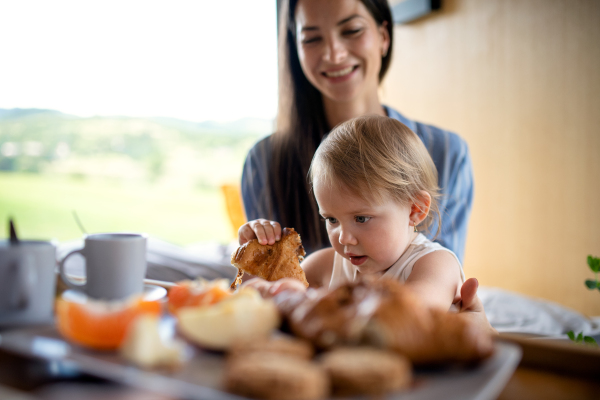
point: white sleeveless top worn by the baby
(344, 271)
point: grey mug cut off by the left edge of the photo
(27, 282)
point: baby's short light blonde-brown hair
(374, 156)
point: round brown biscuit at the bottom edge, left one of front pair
(275, 377)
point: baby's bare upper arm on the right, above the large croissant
(436, 280)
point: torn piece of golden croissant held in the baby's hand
(272, 262)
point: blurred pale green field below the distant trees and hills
(42, 207)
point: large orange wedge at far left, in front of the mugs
(100, 325)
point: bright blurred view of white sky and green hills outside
(131, 113)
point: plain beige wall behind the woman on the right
(520, 81)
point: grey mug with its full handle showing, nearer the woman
(115, 265)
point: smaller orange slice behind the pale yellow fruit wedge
(197, 293)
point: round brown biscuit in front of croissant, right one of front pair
(366, 371)
